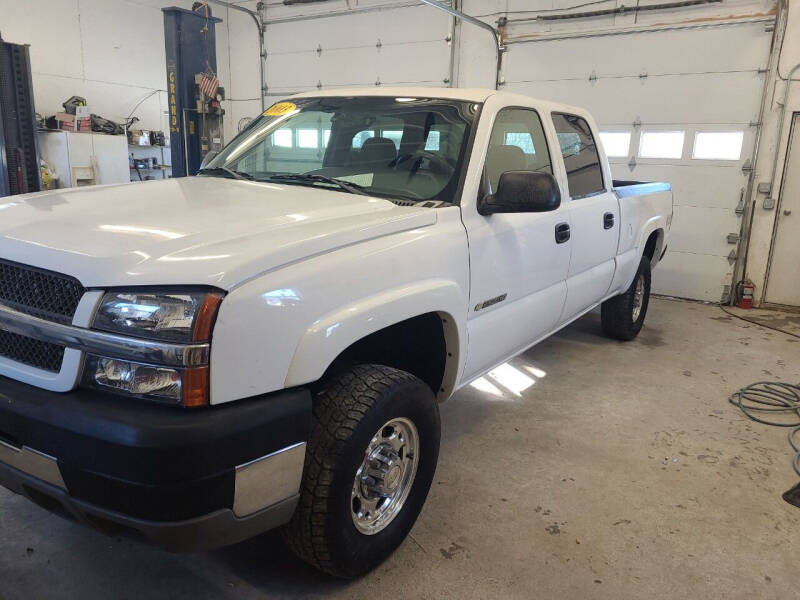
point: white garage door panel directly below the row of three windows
(706, 187)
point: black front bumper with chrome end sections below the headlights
(186, 479)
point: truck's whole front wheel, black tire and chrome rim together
(369, 465)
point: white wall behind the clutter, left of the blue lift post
(111, 52)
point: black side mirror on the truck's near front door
(522, 191)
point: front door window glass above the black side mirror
(517, 143)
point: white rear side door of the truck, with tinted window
(593, 214)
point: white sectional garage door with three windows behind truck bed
(705, 80)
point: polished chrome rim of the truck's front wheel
(385, 477)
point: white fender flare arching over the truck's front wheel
(332, 333)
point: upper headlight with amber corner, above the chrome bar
(180, 317)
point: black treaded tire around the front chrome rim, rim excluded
(347, 412)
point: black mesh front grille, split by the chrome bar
(43, 294)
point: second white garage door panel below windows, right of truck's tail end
(703, 230)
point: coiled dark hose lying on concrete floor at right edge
(770, 399)
